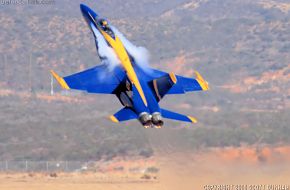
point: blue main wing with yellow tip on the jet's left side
(98, 79)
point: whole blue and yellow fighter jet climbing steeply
(138, 90)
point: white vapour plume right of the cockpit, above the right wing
(140, 54)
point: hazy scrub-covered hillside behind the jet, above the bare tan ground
(241, 47)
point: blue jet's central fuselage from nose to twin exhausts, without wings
(135, 92)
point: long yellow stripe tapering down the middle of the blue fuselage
(122, 54)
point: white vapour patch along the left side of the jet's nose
(105, 51)
